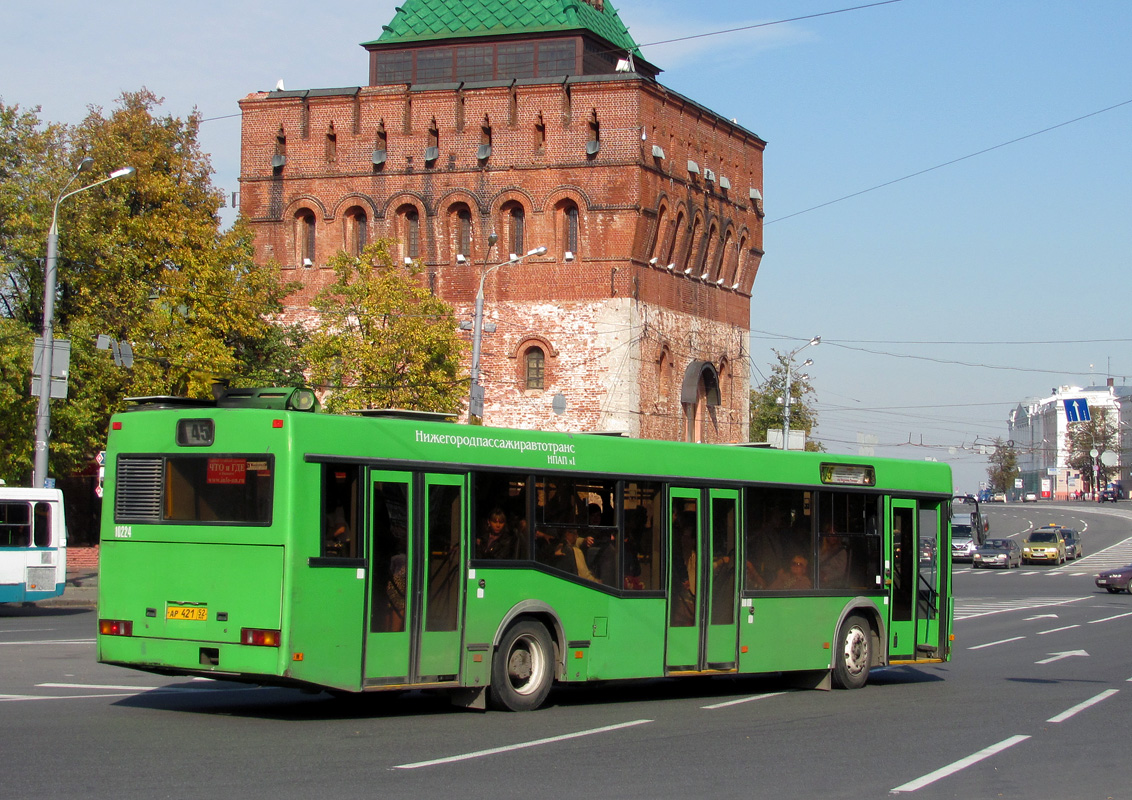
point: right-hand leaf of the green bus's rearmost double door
(436, 598)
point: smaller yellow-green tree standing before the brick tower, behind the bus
(384, 341)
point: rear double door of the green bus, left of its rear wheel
(415, 601)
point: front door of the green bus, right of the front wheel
(915, 579)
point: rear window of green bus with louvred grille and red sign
(195, 489)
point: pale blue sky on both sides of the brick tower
(944, 300)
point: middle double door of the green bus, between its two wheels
(702, 623)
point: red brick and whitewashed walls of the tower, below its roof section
(608, 312)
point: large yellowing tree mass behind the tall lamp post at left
(142, 260)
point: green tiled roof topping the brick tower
(422, 21)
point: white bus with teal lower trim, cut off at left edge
(33, 545)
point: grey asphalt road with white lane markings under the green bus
(1032, 707)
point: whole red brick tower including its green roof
(543, 124)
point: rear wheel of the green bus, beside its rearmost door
(522, 668)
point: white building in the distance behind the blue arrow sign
(1039, 429)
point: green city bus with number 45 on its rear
(258, 539)
